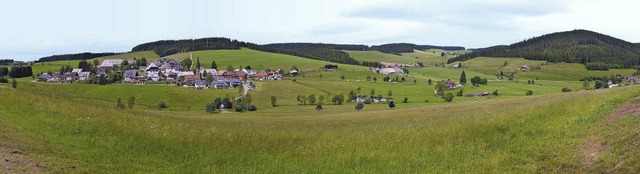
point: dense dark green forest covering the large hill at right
(598, 51)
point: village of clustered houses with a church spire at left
(167, 71)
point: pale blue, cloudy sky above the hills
(35, 28)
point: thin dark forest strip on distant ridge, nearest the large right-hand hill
(407, 48)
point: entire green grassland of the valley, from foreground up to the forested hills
(75, 128)
